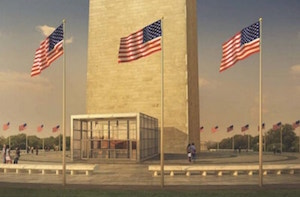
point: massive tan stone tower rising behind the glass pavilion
(114, 88)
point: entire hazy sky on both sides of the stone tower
(227, 98)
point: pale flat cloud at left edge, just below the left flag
(11, 80)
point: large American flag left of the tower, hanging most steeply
(50, 49)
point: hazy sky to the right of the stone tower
(232, 97)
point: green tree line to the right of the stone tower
(271, 140)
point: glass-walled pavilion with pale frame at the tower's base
(128, 136)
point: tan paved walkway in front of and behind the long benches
(129, 174)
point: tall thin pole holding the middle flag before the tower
(162, 109)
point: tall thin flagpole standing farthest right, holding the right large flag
(260, 106)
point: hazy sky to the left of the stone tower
(38, 100)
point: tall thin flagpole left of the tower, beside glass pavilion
(64, 105)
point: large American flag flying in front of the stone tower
(141, 43)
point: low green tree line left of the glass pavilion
(49, 143)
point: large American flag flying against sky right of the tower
(240, 46)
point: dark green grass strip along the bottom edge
(60, 192)
